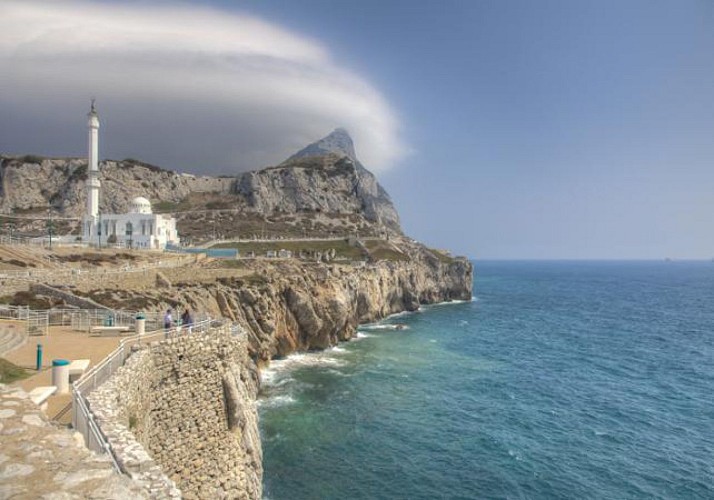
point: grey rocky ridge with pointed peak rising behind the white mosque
(324, 178)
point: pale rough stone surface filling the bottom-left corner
(39, 460)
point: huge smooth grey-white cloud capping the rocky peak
(191, 88)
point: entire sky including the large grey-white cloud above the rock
(503, 129)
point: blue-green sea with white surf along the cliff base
(569, 380)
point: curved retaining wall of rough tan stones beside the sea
(186, 405)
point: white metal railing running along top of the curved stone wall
(82, 417)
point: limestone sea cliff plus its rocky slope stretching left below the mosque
(292, 305)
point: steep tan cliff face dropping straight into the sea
(314, 310)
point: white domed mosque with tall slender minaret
(139, 228)
